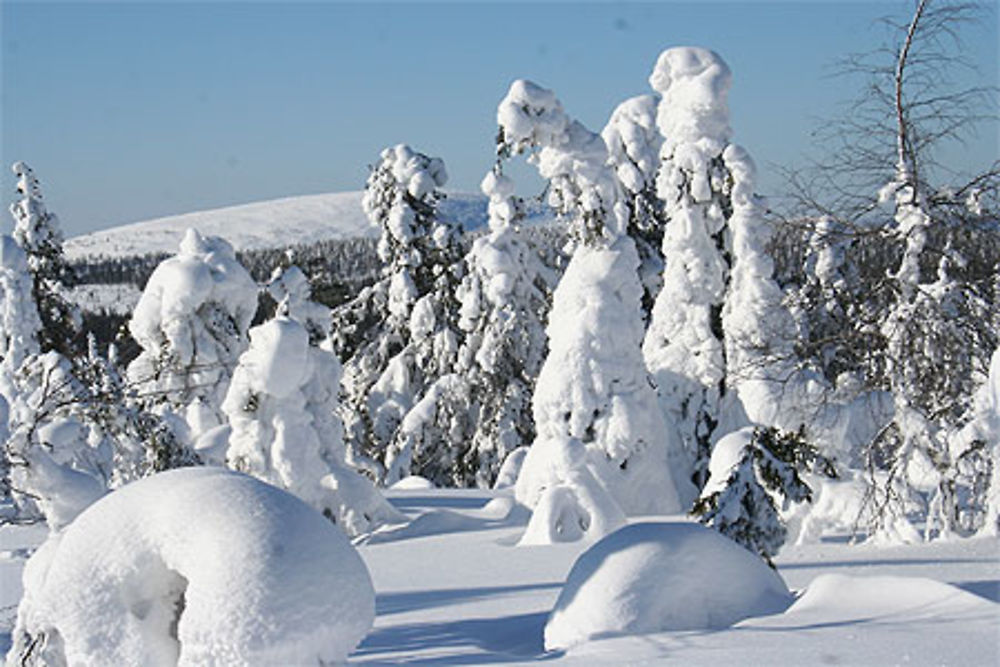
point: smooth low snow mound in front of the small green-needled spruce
(651, 577)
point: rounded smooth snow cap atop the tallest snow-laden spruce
(694, 84)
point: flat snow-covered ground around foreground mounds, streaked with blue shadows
(452, 588)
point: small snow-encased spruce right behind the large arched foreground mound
(280, 406)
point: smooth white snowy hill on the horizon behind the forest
(260, 225)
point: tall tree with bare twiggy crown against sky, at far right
(926, 311)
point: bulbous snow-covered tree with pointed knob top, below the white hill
(191, 324)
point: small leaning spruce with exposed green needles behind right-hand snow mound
(749, 470)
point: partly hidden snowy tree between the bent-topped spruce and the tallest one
(634, 142)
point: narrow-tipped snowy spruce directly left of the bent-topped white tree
(483, 409)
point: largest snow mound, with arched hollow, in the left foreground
(195, 566)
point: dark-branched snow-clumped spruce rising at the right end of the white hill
(399, 335)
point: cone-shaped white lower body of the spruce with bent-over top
(593, 387)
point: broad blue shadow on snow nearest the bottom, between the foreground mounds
(491, 640)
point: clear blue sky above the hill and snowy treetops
(129, 111)
